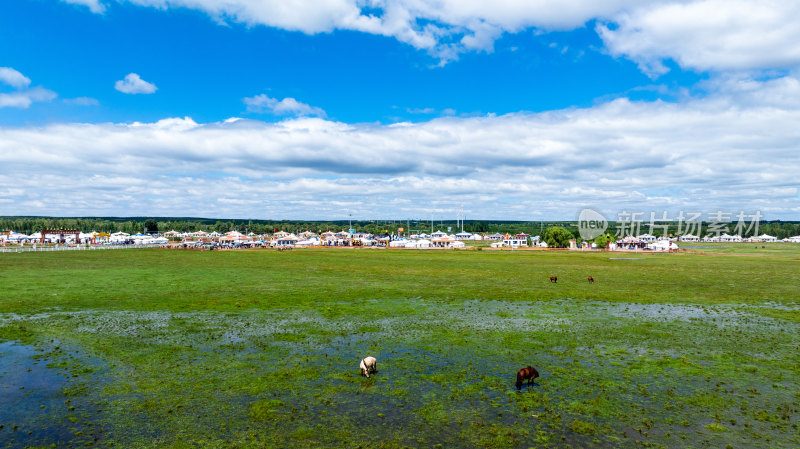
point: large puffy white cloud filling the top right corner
(705, 35)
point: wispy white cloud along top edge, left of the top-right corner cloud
(444, 28)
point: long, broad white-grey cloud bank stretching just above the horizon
(734, 149)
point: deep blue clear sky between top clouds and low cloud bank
(203, 69)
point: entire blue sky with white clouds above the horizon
(313, 109)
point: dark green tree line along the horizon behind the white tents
(133, 225)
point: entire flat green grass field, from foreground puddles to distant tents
(162, 348)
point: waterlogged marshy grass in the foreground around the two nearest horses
(612, 375)
